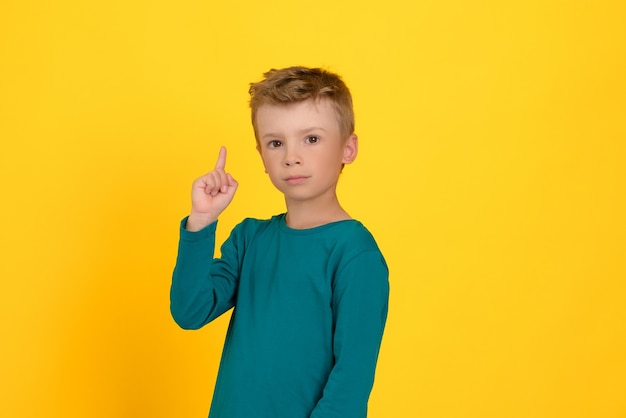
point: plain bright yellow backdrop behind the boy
(491, 171)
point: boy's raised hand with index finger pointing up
(211, 194)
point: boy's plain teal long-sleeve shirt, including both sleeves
(309, 311)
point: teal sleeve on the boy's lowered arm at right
(360, 303)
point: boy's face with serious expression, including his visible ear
(302, 148)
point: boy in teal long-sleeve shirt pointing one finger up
(309, 287)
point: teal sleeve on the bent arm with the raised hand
(203, 287)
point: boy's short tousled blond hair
(296, 84)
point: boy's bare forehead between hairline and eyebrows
(297, 116)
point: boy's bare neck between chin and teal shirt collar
(305, 214)
